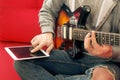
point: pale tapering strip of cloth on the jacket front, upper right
(105, 12)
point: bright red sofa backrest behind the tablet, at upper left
(19, 20)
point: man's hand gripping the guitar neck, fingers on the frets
(93, 48)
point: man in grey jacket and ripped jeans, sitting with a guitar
(98, 63)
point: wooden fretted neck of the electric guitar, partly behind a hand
(101, 37)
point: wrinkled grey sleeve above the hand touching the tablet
(48, 14)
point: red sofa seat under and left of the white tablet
(7, 71)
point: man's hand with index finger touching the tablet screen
(43, 40)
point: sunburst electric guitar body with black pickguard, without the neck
(71, 20)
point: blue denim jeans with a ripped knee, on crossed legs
(60, 66)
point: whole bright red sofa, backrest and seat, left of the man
(18, 25)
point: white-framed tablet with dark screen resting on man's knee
(23, 53)
